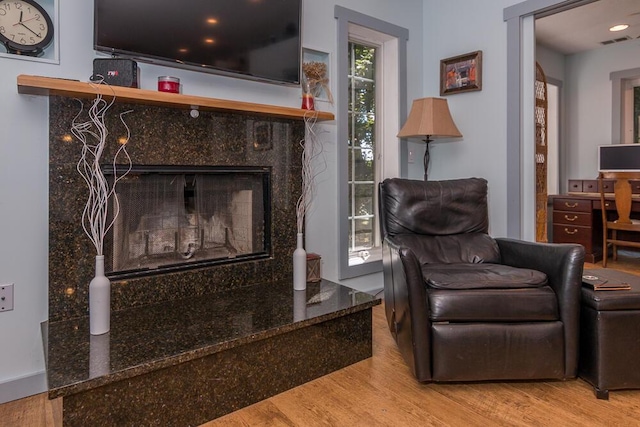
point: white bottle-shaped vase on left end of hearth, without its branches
(99, 300)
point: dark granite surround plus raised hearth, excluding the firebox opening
(190, 346)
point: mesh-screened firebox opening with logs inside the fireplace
(193, 217)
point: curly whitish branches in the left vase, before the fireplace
(93, 135)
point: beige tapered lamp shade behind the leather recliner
(429, 117)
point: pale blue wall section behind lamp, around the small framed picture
(456, 27)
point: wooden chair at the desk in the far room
(622, 194)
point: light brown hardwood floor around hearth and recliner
(380, 391)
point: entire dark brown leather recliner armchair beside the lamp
(463, 306)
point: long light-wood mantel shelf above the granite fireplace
(37, 85)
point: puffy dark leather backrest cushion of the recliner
(434, 208)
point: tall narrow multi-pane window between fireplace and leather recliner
(371, 63)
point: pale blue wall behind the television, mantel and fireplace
(24, 163)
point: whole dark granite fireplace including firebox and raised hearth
(190, 335)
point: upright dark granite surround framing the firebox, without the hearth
(167, 136)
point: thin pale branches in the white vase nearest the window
(311, 151)
